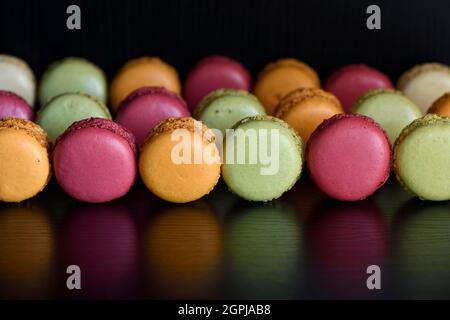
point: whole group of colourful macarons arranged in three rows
(349, 135)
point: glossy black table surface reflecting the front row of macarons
(302, 246)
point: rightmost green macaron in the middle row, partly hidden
(392, 110)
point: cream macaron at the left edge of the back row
(16, 76)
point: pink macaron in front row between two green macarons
(349, 157)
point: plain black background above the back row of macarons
(325, 34)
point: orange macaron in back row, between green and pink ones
(143, 72)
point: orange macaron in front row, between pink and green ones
(174, 182)
